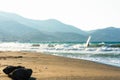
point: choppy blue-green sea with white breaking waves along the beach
(101, 52)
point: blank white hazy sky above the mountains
(84, 14)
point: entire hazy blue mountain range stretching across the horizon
(16, 28)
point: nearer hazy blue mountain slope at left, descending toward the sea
(15, 31)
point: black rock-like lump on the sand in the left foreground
(18, 72)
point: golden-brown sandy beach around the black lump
(48, 67)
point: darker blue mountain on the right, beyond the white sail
(107, 34)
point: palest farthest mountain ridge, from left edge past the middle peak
(50, 25)
